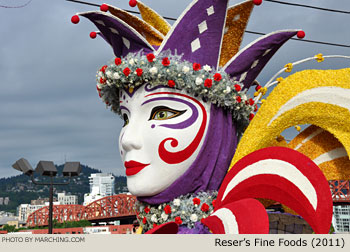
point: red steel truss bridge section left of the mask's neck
(116, 207)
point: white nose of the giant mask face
(131, 138)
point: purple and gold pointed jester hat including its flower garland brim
(199, 54)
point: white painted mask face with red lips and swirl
(164, 130)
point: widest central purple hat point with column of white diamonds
(198, 33)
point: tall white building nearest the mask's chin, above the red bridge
(101, 185)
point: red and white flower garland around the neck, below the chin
(184, 210)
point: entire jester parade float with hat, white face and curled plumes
(200, 154)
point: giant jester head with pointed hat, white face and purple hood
(181, 92)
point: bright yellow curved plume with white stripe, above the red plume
(294, 102)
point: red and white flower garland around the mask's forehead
(137, 69)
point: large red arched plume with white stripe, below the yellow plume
(278, 184)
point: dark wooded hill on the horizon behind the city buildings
(21, 190)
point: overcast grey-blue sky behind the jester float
(49, 108)
